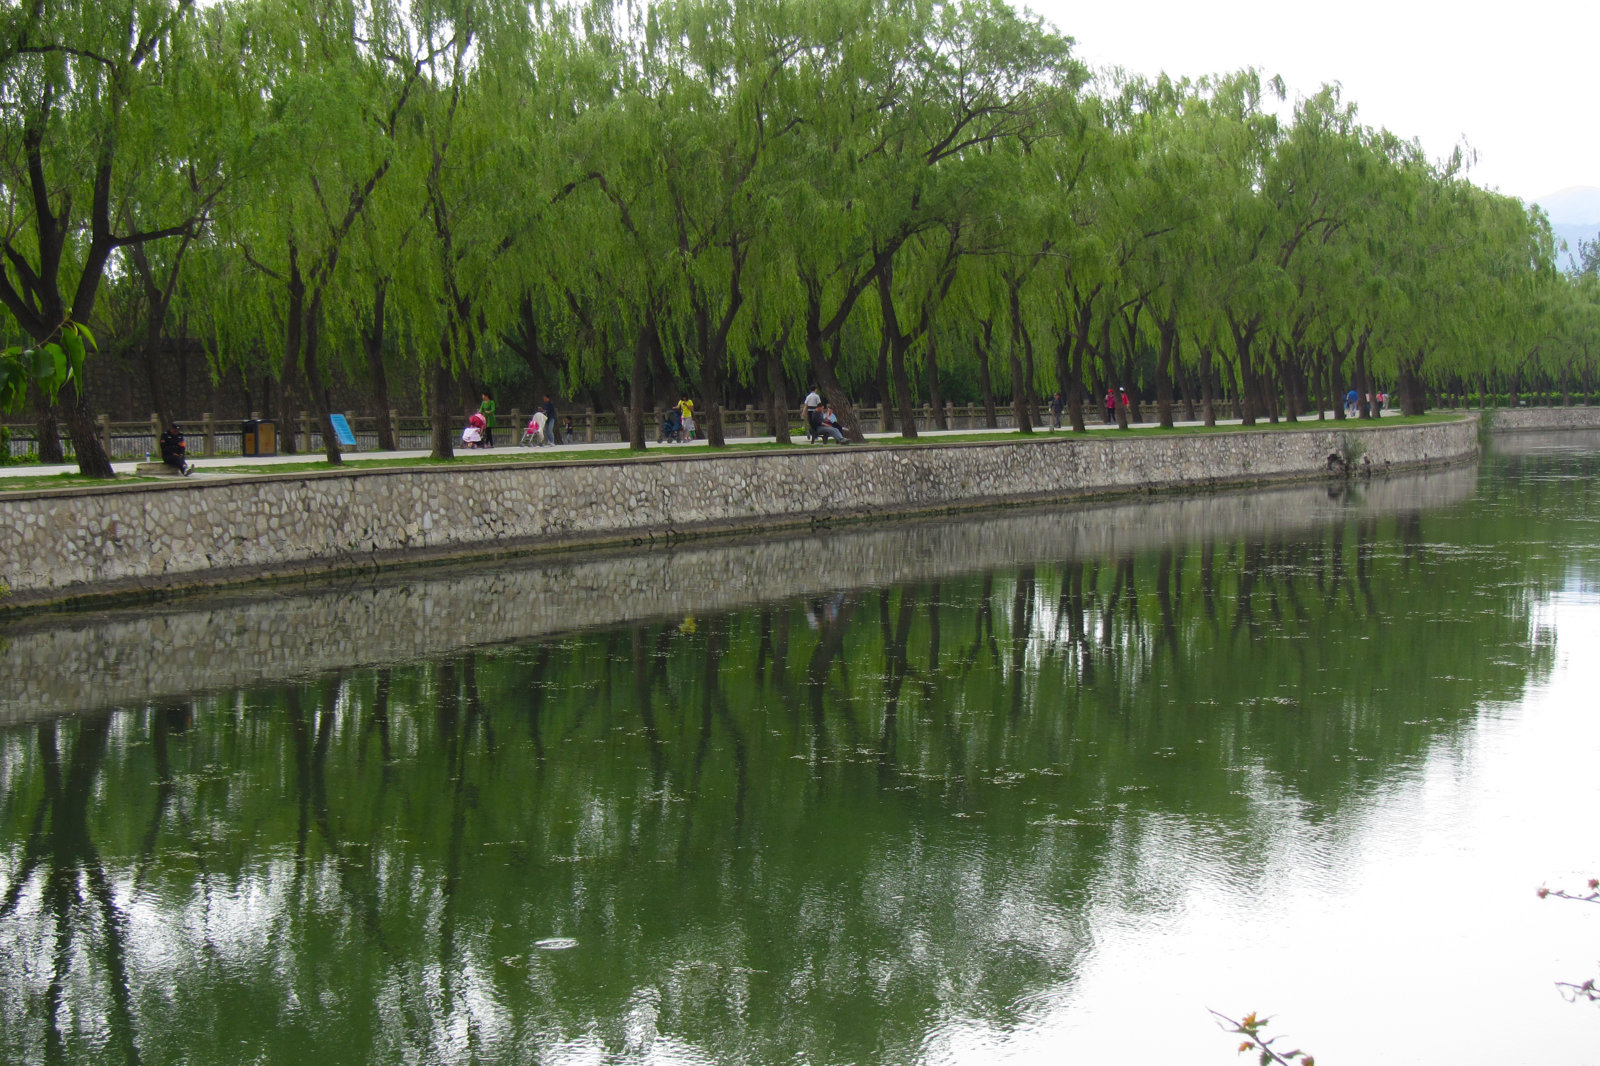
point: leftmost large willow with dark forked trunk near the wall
(97, 97)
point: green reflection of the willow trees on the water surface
(815, 830)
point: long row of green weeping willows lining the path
(910, 199)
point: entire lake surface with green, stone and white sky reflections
(1044, 787)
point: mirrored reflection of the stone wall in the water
(231, 641)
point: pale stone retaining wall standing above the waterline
(68, 545)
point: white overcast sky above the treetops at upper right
(1518, 81)
